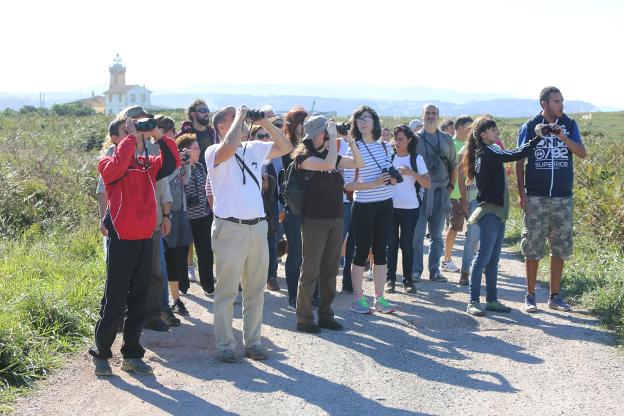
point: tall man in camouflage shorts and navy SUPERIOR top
(545, 189)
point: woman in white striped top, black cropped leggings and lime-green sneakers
(372, 208)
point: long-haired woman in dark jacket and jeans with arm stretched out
(483, 162)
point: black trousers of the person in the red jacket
(128, 269)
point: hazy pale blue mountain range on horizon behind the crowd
(387, 101)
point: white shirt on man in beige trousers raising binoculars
(232, 198)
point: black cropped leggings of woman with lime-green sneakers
(371, 224)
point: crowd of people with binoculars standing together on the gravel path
(349, 194)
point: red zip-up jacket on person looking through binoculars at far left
(131, 186)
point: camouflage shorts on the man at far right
(547, 217)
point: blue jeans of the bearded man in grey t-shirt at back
(436, 225)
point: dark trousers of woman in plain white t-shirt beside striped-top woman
(402, 235)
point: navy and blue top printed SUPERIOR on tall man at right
(549, 170)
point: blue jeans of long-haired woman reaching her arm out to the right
(490, 243)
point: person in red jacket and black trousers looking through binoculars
(130, 177)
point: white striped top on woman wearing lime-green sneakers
(370, 172)
